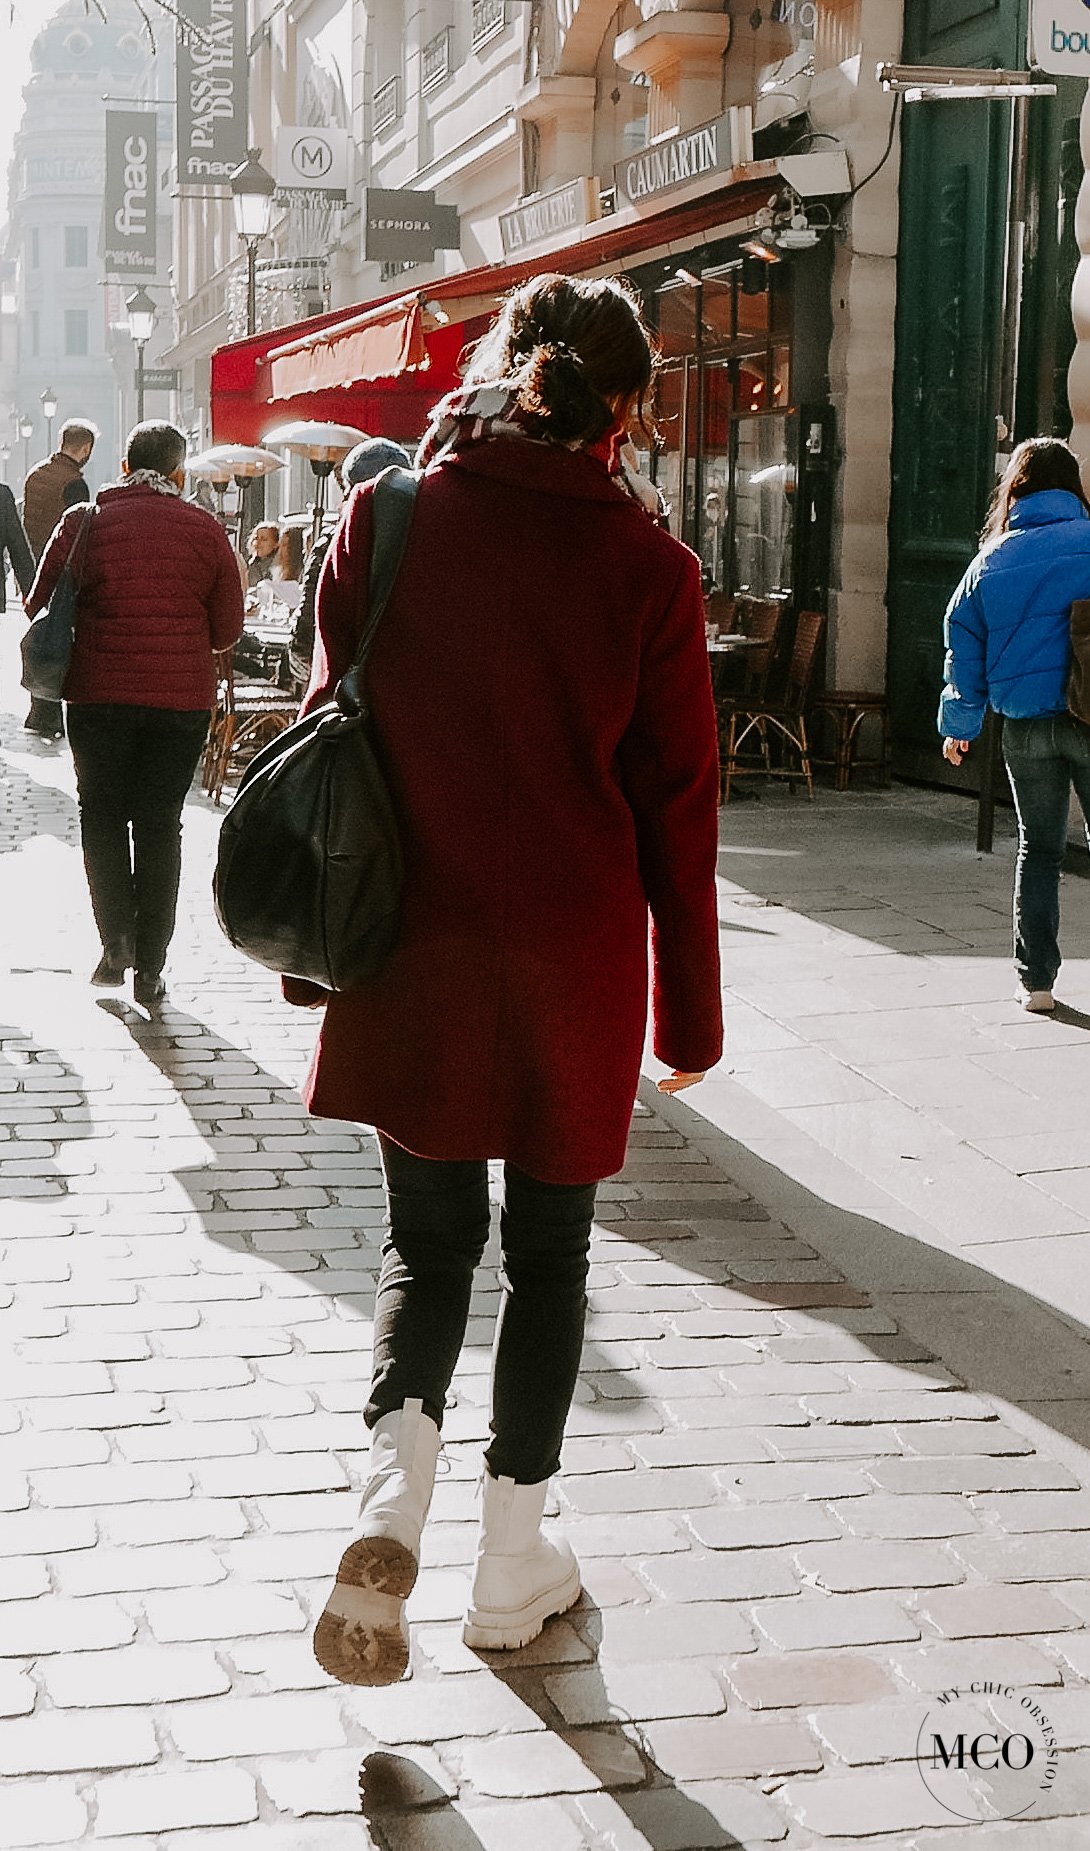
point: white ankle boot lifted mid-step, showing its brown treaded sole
(362, 1637)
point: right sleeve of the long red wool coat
(669, 762)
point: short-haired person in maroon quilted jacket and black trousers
(160, 593)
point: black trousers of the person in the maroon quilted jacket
(134, 767)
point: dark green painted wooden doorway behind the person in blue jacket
(950, 288)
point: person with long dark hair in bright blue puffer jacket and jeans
(1009, 647)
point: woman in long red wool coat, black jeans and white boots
(541, 693)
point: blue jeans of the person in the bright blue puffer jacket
(1045, 758)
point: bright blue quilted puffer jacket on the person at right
(1008, 627)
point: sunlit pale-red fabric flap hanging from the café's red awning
(378, 345)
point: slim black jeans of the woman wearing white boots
(440, 1226)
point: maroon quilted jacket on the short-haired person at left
(158, 593)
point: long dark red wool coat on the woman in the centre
(543, 699)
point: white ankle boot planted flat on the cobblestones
(523, 1578)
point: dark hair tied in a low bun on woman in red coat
(573, 345)
